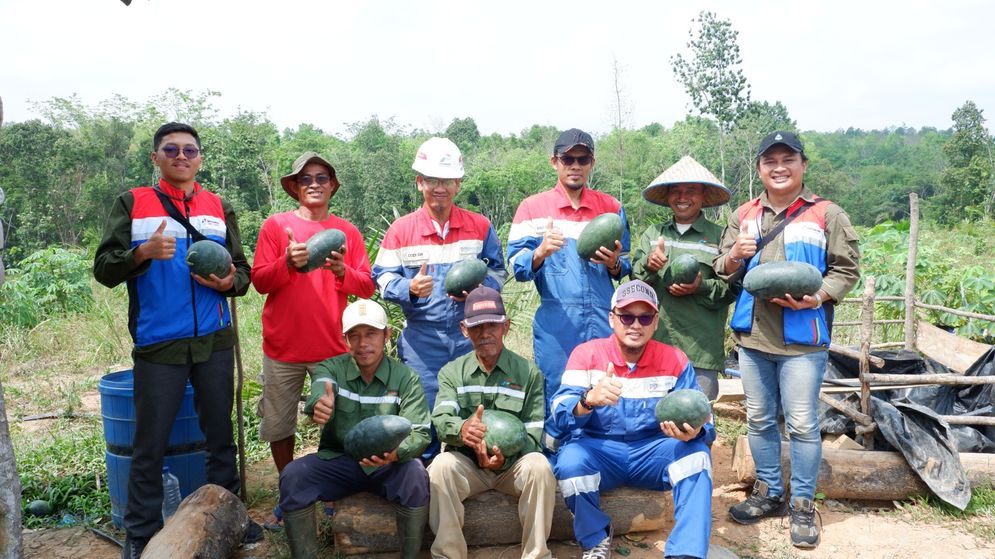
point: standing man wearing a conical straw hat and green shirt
(692, 315)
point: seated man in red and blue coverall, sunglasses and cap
(609, 391)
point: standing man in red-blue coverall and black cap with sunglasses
(542, 247)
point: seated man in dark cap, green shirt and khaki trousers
(495, 378)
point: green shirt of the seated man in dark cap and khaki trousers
(515, 386)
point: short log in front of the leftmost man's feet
(210, 522)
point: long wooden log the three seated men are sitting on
(364, 523)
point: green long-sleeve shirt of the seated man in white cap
(394, 390)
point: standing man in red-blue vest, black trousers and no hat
(180, 322)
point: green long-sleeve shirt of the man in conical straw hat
(694, 323)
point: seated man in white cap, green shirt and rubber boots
(347, 389)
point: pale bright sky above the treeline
(865, 64)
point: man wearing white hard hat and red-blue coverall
(417, 252)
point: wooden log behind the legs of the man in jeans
(864, 474)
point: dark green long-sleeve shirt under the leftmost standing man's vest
(114, 263)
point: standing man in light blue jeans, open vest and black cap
(783, 341)
